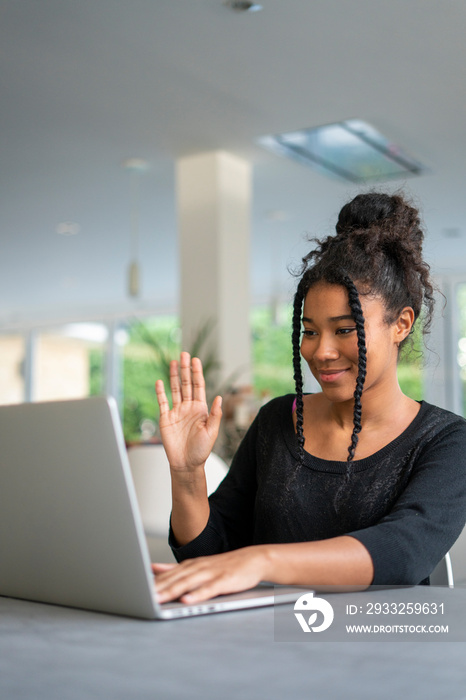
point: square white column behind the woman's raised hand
(213, 200)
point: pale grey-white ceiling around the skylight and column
(86, 84)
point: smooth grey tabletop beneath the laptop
(48, 652)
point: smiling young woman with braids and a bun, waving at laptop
(355, 485)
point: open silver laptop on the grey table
(70, 529)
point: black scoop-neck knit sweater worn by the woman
(406, 503)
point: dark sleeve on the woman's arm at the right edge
(427, 518)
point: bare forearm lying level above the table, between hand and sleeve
(339, 561)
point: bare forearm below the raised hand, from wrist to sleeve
(190, 505)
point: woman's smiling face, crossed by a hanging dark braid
(330, 344)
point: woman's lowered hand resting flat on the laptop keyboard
(195, 580)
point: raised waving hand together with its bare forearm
(188, 433)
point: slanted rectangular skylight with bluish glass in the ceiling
(350, 150)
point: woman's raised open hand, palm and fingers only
(188, 430)
